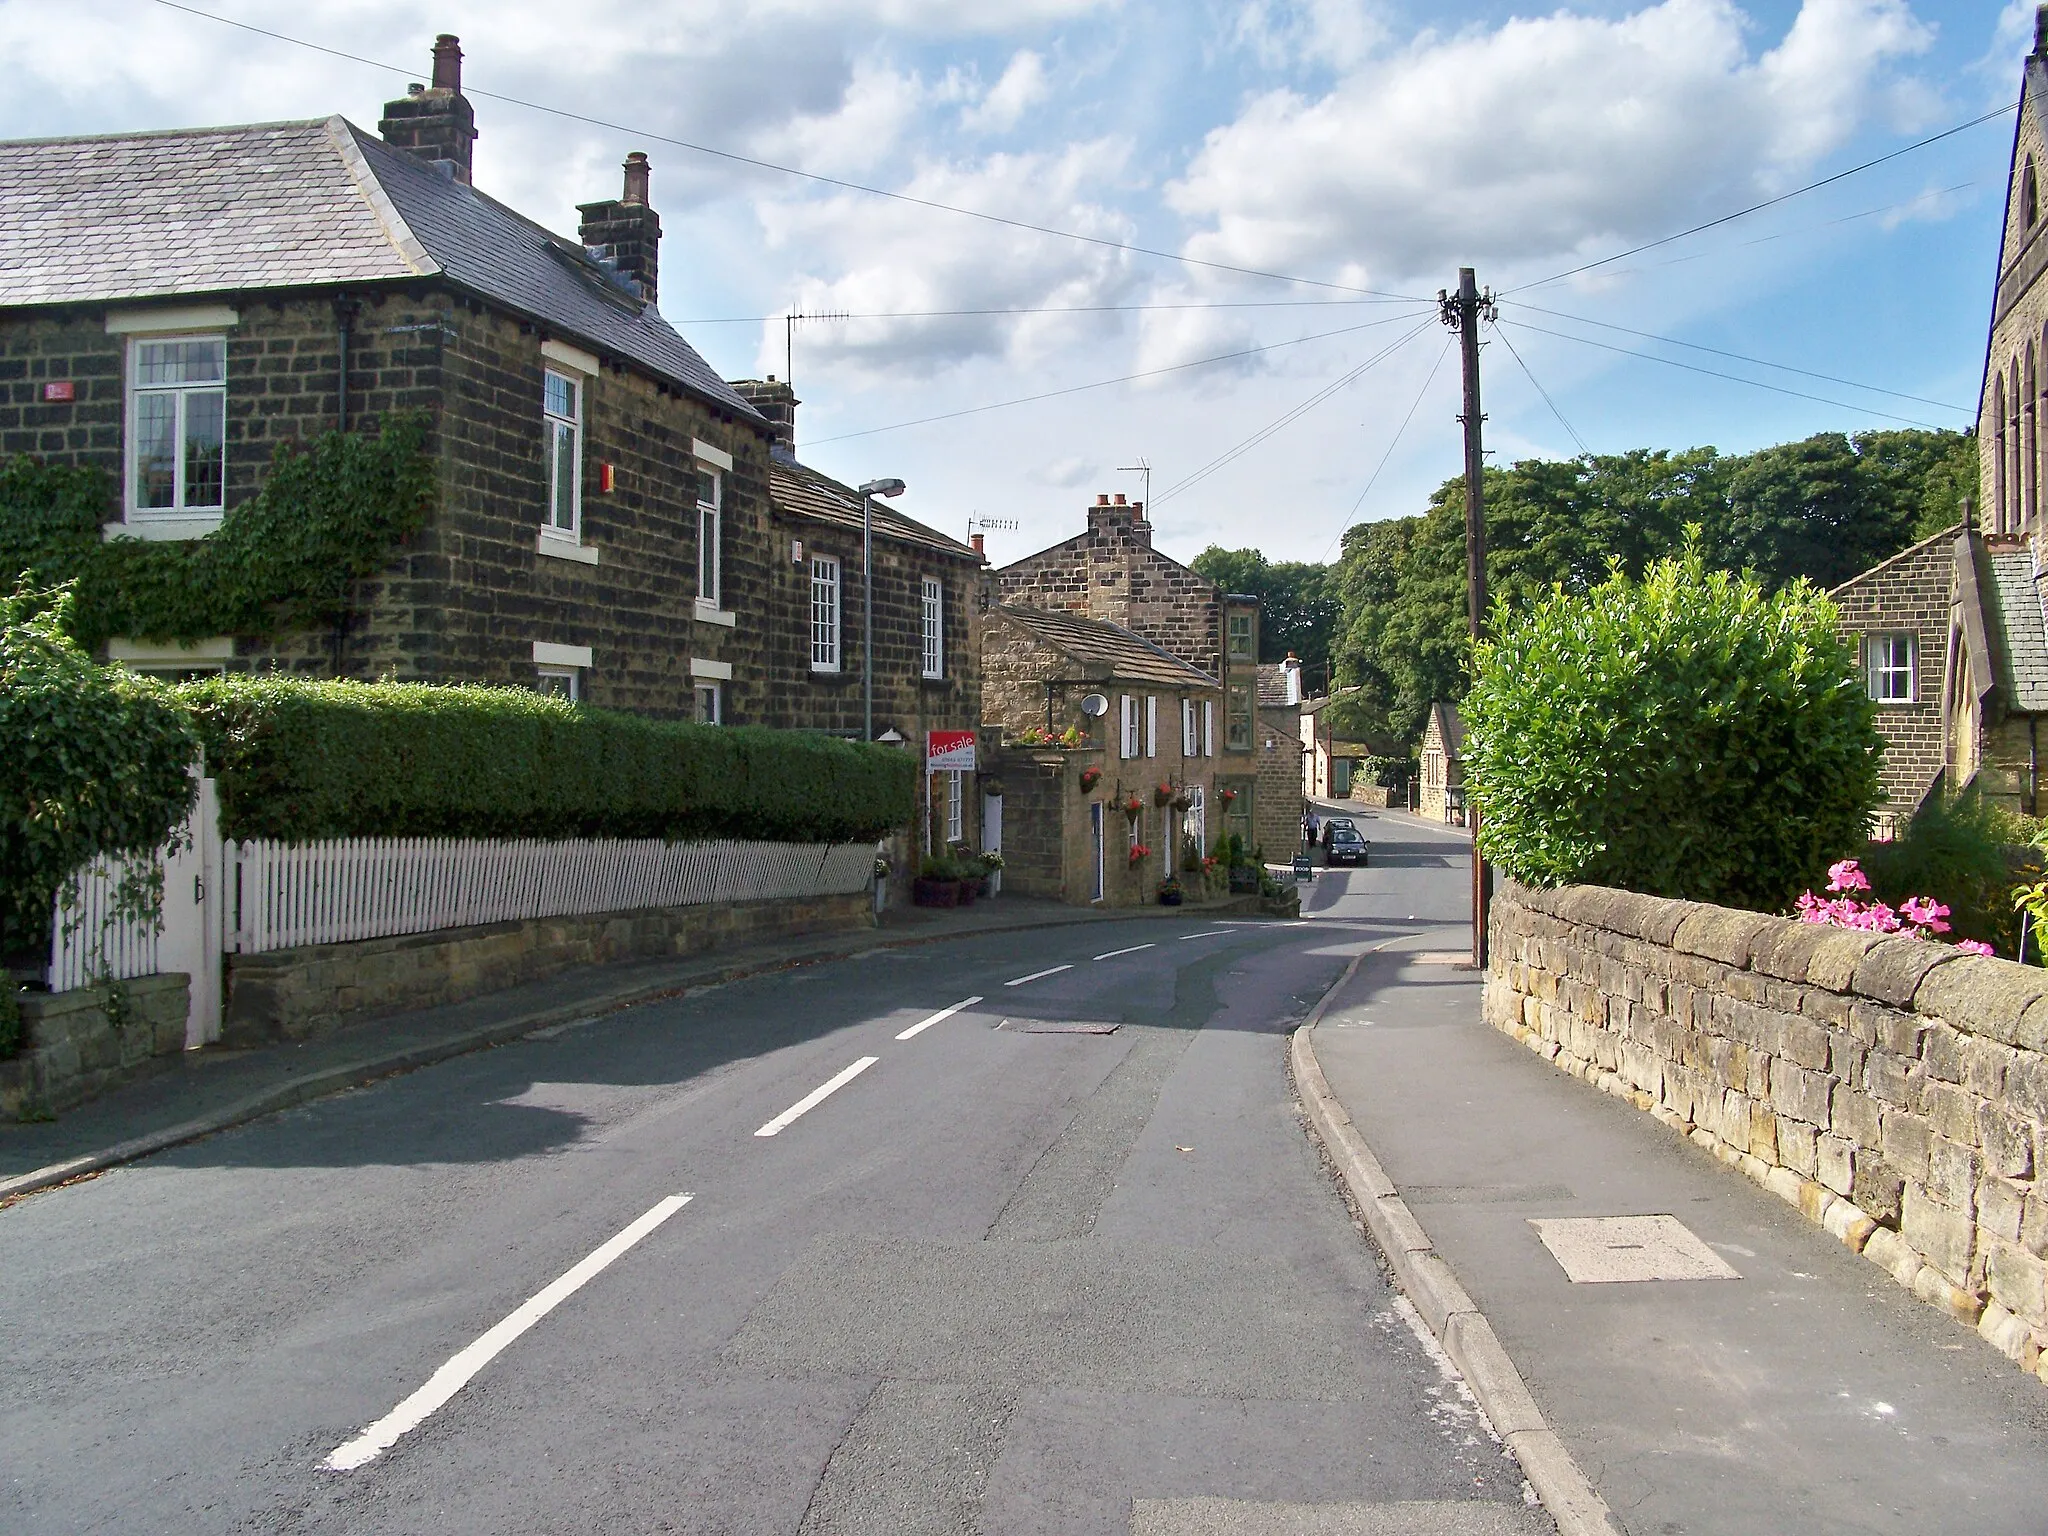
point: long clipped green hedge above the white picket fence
(300, 761)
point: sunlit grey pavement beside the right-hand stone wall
(1801, 1392)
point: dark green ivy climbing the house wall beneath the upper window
(282, 560)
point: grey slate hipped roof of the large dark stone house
(290, 206)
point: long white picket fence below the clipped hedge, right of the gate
(372, 888)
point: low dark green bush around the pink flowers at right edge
(1967, 853)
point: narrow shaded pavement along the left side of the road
(216, 1089)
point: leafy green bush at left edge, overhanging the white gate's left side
(97, 763)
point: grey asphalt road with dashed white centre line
(1054, 1254)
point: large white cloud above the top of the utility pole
(1537, 140)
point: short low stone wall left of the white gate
(73, 1048)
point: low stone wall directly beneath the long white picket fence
(304, 992)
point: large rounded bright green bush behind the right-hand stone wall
(1684, 736)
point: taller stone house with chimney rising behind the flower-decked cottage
(1113, 574)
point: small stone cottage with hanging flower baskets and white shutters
(1144, 720)
